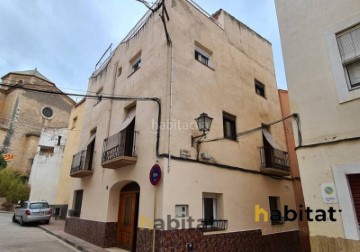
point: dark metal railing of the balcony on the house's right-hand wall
(273, 158)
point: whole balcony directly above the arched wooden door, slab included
(119, 150)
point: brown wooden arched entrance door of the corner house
(128, 216)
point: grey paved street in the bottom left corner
(13, 237)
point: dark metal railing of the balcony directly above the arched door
(120, 144)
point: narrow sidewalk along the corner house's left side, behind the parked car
(56, 228)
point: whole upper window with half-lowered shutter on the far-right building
(349, 48)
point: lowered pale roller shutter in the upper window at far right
(349, 44)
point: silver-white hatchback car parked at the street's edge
(32, 211)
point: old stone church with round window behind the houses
(24, 113)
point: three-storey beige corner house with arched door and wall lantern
(195, 63)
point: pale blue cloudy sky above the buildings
(65, 39)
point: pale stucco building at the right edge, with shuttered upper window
(321, 50)
